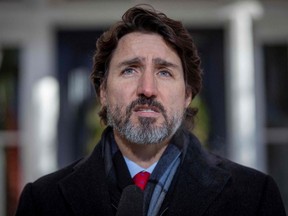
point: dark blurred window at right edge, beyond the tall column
(276, 79)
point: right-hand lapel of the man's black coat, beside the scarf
(198, 183)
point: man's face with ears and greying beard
(145, 92)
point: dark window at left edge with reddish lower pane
(9, 176)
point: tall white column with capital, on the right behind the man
(241, 94)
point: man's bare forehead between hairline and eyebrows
(144, 46)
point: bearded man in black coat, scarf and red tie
(146, 72)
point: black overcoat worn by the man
(205, 184)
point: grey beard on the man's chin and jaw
(146, 132)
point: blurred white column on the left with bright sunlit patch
(39, 103)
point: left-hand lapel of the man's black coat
(85, 189)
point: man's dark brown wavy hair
(144, 18)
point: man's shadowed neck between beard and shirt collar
(143, 155)
